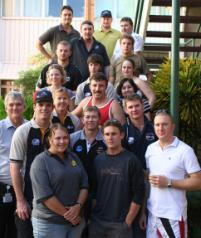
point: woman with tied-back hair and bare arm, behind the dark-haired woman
(128, 71)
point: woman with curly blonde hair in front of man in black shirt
(55, 79)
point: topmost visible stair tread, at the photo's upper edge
(183, 3)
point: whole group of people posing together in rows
(90, 163)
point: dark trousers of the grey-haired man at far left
(7, 221)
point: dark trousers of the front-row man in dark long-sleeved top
(102, 229)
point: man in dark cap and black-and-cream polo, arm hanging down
(28, 141)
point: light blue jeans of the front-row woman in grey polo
(43, 228)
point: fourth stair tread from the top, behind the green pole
(168, 48)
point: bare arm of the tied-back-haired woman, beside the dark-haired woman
(146, 90)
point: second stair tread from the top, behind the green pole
(168, 19)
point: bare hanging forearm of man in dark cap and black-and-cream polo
(23, 210)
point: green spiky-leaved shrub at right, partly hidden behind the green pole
(189, 97)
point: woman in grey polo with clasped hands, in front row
(59, 185)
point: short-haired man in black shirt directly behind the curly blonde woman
(73, 75)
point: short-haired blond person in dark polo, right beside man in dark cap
(61, 112)
